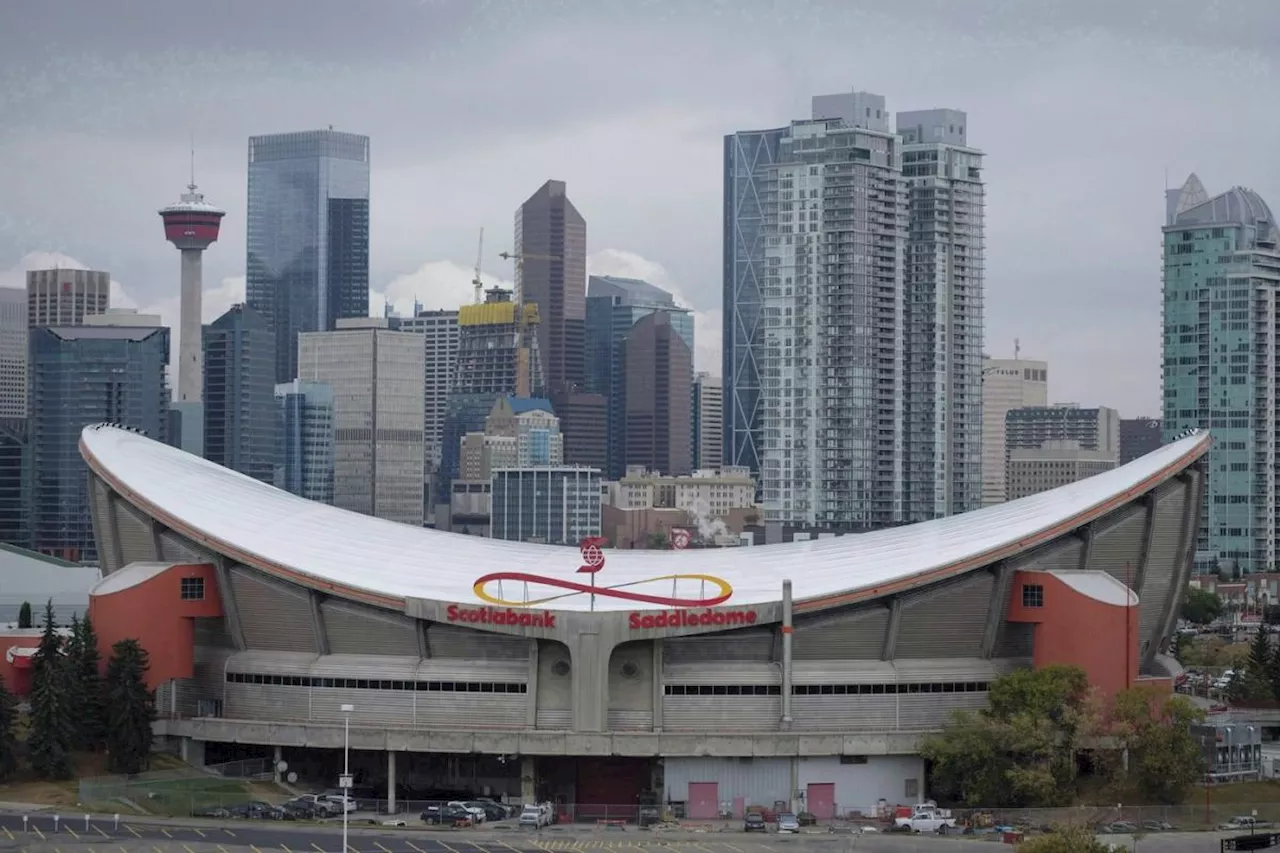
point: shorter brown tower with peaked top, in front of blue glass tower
(660, 370)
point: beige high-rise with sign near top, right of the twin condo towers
(1007, 384)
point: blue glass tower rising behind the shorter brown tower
(615, 305)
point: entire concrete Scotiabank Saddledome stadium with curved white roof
(705, 679)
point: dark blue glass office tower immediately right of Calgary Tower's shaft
(240, 394)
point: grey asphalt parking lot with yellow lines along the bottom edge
(39, 834)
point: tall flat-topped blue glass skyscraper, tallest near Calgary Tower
(308, 243)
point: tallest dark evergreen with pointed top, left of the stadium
(53, 711)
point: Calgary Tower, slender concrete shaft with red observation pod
(191, 226)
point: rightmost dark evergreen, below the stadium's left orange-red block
(131, 709)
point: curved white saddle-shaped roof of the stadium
(386, 562)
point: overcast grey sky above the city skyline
(1084, 108)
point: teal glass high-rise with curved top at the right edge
(1222, 286)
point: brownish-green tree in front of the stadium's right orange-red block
(1164, 759)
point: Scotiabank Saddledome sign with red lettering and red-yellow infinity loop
(685, 610)
